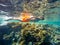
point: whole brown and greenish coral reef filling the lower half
(32, 34)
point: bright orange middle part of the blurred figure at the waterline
(25, 17)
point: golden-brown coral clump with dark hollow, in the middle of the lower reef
(32, 33)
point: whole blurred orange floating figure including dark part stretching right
(26, 17)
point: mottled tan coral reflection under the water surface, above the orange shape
(38, 7)
